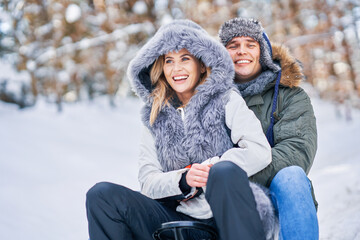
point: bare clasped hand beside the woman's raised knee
(198, 175)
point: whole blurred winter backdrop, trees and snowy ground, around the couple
(68, 118)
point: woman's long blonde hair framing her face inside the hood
(162, 91)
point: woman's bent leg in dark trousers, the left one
(116, 212)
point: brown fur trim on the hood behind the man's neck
(291, 69)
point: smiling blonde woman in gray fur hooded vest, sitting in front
(188, 167)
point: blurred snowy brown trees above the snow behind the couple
(76, 50)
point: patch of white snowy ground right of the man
(336, 173)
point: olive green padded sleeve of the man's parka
(295, 135)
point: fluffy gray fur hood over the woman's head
(175, 36)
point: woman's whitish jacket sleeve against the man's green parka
(253, 152)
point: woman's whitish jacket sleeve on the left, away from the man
(155, 183)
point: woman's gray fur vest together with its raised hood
(201, 134)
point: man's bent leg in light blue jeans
(292, 199)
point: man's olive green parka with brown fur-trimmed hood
(295, 134)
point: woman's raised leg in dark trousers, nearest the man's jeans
(232, 203)
